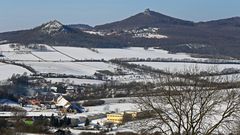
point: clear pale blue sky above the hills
(23, 14)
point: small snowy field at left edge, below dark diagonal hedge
(7, 70)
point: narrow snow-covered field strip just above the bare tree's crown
(179, 66)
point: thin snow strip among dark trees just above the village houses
(75, 80)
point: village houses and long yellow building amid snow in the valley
(79, 118)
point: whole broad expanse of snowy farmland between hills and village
(65, 61)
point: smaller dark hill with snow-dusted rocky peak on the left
(55, 33)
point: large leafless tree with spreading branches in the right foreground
(190, 104)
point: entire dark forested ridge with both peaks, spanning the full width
(145, 29)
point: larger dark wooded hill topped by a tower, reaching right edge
(218, 37)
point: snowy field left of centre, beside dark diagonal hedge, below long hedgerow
(70, 68)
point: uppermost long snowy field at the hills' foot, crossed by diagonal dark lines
(20, 52)
